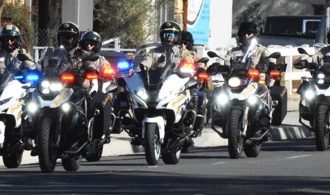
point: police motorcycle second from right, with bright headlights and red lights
(239, 105)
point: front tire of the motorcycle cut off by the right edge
(322, 128)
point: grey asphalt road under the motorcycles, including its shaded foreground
(282, 167)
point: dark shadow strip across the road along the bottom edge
(153, 182)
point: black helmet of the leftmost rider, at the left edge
(10, 32)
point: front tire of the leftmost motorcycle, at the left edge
(13, 158)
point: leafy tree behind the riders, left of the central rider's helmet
(127, 20)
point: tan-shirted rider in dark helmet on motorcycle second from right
(246, 32)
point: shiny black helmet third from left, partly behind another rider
(91, 36)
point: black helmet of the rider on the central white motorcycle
(170, 29)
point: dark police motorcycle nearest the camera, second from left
(59, 115)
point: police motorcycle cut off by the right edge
(314, 104)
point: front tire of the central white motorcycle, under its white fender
(152, 144)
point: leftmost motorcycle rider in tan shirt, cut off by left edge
(10, 39)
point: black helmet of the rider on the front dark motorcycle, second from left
(68, 29)
